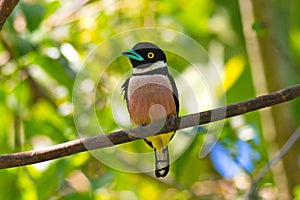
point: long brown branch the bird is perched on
(122, 136)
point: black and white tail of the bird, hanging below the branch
(161, 161)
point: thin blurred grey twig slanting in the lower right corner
(285, 148)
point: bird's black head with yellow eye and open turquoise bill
(144, 54)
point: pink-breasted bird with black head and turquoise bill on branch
(151, 95)
